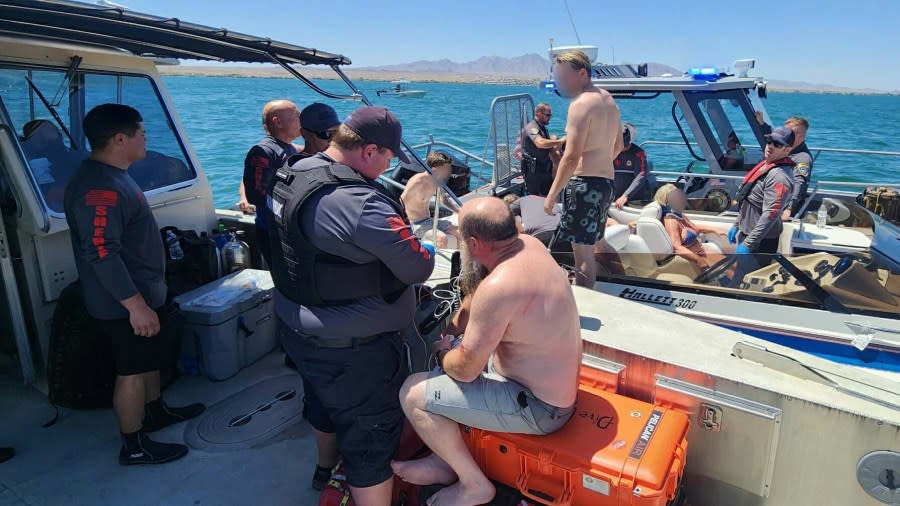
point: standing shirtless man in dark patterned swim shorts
(586, 173)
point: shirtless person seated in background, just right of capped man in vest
(419, 190)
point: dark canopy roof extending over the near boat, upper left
(146, 35)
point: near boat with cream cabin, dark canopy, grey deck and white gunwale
(808, 431)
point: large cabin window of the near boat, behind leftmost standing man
(47, 106)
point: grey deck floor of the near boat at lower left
(75, 461)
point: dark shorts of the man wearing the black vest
(355, 393)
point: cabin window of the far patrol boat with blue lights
(725, 119)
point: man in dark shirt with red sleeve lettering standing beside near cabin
(120, 260)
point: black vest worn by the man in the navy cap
(305, 274)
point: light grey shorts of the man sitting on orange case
(494, 403)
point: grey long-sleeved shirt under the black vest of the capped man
(358, 223)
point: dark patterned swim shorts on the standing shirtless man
(586, 201)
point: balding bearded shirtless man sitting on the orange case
(527, 334)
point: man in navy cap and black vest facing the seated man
(344, 261)
